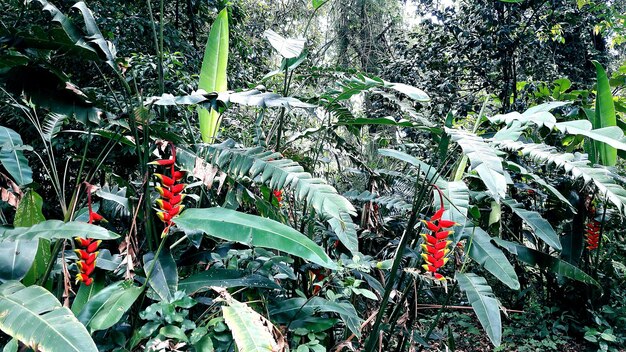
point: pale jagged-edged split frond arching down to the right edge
(578, 166)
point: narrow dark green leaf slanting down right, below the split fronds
(546, 261)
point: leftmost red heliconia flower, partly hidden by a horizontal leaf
(87, 251)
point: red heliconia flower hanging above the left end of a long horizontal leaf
(170, 190)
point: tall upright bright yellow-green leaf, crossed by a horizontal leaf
(213, 73)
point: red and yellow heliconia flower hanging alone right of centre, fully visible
(435, 247)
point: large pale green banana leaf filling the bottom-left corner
(35, 317)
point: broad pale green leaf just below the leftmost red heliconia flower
(108, 306)
